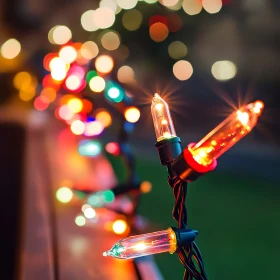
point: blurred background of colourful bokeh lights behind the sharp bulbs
(76, 83)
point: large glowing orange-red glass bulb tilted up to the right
(227, 134)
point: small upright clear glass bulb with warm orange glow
(163, 123)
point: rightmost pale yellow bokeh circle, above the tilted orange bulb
(224, 70)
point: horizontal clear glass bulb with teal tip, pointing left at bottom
(144, 244)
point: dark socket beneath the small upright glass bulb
(169, 149)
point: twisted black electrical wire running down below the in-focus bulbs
(189, 256)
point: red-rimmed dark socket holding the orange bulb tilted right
(187, 168)
